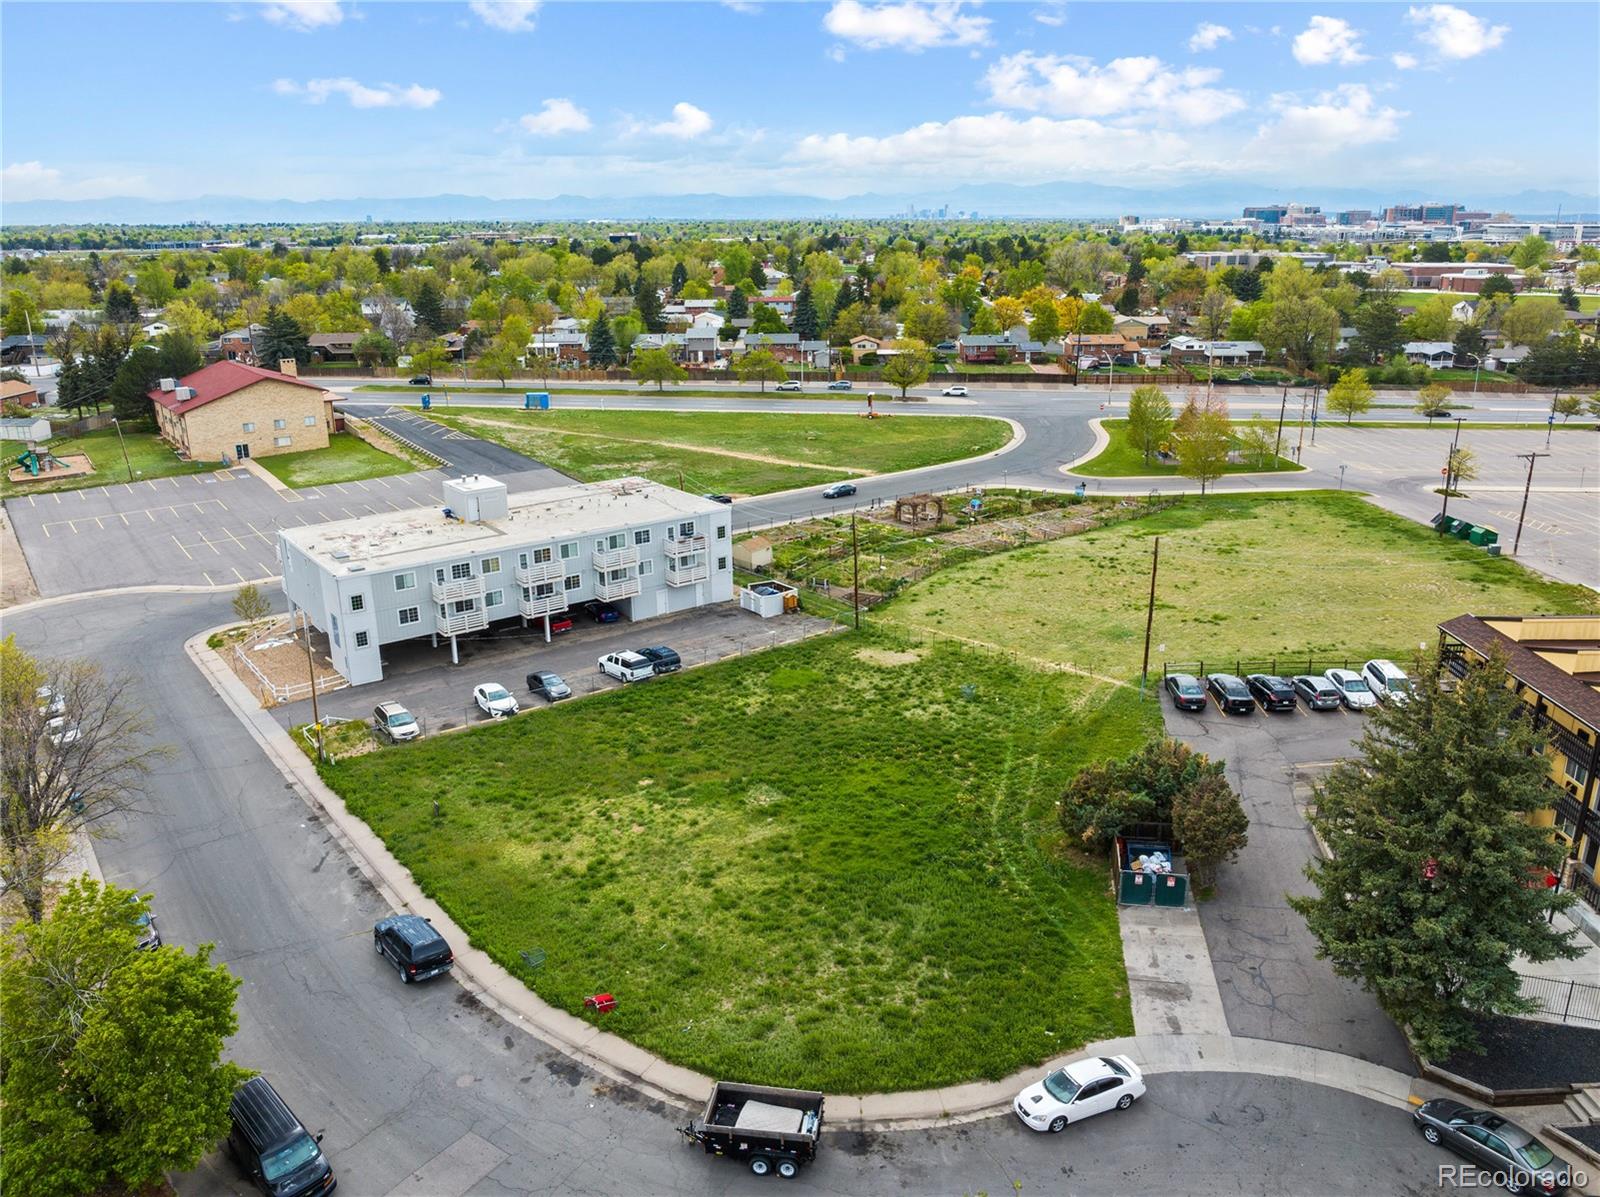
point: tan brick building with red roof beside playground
(236, 410)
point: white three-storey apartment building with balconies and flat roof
(490, 558)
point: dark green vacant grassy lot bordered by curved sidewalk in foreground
(833, 865)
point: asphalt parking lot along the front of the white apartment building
(439, 694)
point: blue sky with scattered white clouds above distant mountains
(319, 100)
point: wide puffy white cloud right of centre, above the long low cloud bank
(1076, 87)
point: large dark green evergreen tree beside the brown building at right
(1434, 879)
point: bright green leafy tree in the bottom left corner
(113, 1059)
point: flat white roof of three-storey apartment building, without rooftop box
(425, 537)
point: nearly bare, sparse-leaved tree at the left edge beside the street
(63, 779)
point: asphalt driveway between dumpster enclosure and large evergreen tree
(1265, 959)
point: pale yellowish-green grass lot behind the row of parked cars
(1239, 577)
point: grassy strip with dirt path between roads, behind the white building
(738, 454)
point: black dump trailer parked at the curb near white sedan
(775, 1131)
